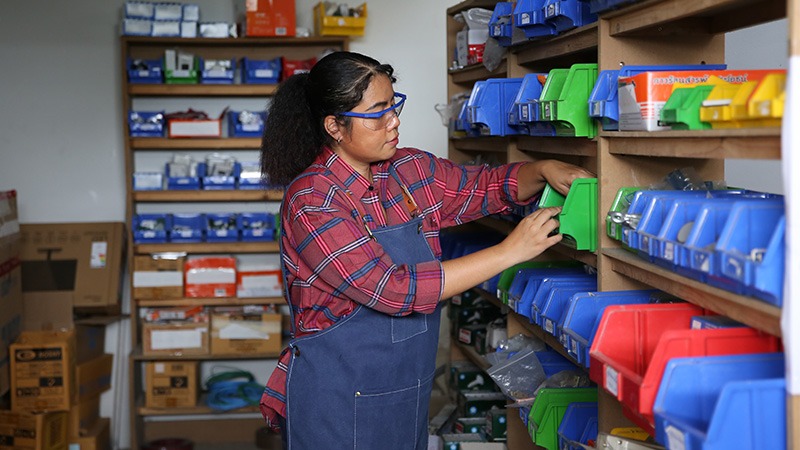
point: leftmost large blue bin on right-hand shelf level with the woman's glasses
(489, 103)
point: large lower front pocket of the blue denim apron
(387, 420)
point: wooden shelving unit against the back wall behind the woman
(170, 422)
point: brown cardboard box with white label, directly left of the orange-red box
(158, 277)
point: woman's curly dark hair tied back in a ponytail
(294, 132)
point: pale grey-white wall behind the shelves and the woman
(61, 143)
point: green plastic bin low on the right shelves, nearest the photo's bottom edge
(547, 412)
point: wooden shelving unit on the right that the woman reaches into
(647, 32)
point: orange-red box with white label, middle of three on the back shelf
(212, 276)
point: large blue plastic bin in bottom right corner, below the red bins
(722, 403)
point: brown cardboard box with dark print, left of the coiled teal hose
(171, 384)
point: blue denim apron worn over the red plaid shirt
(365, 382)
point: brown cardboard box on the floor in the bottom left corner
(26, 431)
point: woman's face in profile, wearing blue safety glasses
(371, 140)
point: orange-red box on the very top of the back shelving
(270, 18)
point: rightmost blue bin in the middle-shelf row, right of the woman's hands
(743, 243)
